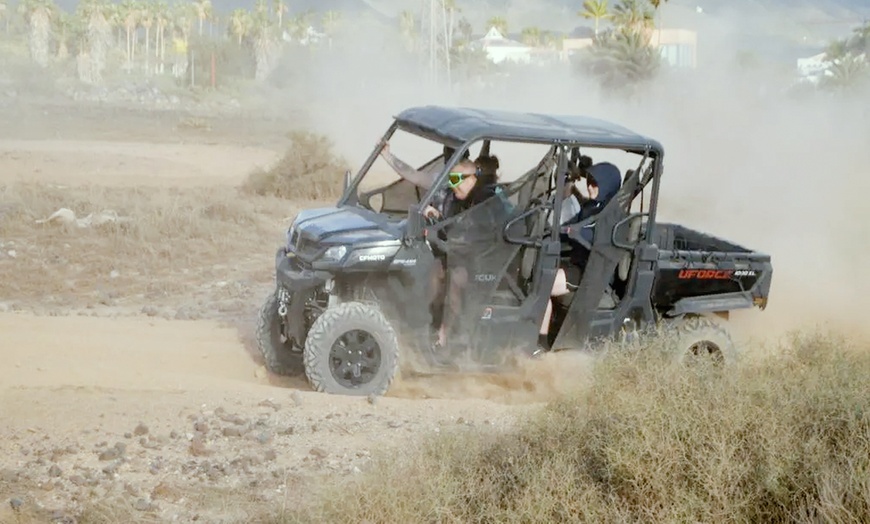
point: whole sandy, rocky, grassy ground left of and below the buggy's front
(132, 391)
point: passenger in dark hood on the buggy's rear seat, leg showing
(603, 181)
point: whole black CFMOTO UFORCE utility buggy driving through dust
(353, 298)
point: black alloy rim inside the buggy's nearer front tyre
(355, 358)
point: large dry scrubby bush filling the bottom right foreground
(786, 438)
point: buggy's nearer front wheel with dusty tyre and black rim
(351, 349)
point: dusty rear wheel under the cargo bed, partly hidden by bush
(703, 340)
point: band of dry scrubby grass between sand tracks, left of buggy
(169, 236)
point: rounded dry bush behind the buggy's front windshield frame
(309, 170)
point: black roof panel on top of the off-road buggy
(457, 125)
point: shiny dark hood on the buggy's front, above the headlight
(336, 225)
